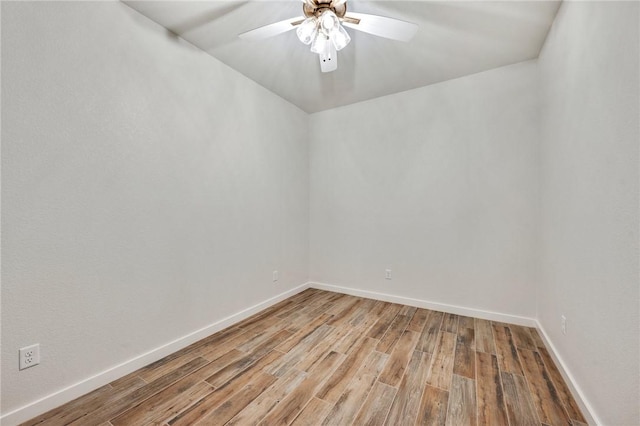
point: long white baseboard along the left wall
(78, 389)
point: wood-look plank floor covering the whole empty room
(327, 358)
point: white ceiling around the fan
(455, 38)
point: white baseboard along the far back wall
(442, 307)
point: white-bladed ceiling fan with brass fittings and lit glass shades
(322, 27)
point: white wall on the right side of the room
(589, 197)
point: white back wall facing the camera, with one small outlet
(439, 184)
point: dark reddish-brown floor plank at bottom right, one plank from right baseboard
(544, 395)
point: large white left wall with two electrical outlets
(148, 191)
